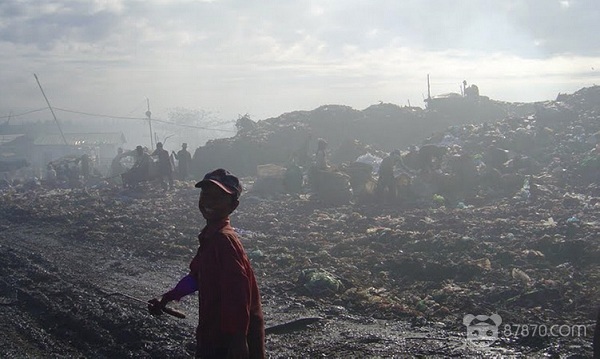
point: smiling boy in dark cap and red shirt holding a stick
(231, 323)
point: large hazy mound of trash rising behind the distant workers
(351, 133)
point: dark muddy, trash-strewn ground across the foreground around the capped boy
(404, 278)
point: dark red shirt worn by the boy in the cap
(228, 293)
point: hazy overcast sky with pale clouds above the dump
(268, 57)
